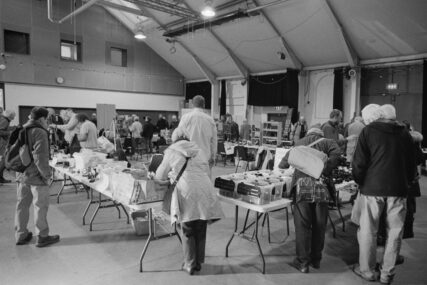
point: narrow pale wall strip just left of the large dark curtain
(237, 96)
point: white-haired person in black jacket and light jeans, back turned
(383, 166)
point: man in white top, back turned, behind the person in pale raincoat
(201, 129)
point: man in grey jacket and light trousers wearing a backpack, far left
(33, 183)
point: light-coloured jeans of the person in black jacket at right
(371, 209)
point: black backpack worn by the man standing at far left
(18, 156)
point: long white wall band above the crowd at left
(37, 95)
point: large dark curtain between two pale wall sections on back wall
(275, 90)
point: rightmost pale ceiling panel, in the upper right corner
(385, 28)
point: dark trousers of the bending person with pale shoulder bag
(310, 225)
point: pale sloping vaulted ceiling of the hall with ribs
(286, 34)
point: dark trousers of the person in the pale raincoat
(193, 235)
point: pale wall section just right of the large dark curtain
(316, 95)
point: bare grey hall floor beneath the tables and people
(110, 253)
